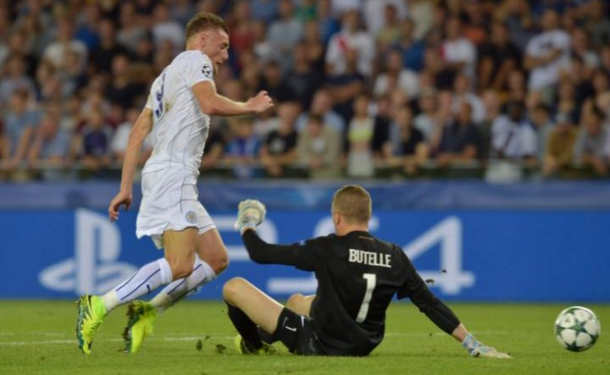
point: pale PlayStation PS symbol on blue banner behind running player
(94, 268)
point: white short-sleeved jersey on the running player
(179, 128)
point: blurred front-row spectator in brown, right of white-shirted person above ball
(559, 148)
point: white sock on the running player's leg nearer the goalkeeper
(182, 288)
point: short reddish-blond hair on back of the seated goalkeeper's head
(354, 203)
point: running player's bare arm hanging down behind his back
(138, 134)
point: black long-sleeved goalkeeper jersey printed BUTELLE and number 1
(358, 275)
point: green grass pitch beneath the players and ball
(37, 337)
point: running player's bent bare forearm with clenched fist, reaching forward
(212, 103)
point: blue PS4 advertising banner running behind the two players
(469, 255)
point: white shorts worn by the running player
(170, 202)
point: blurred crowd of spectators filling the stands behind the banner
(359, 85)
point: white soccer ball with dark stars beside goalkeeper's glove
(577, 328)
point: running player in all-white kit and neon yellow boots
(177, 117)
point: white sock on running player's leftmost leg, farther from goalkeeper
(144, 281)
